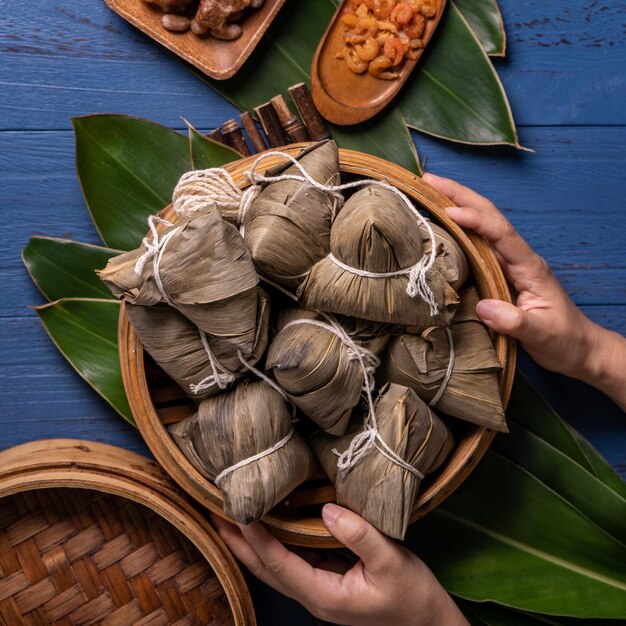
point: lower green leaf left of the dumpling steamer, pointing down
(85, 331)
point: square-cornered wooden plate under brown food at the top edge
(215, 57)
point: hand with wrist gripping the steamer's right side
(550, 327)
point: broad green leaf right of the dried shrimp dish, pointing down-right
(455, 92)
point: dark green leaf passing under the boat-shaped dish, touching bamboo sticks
(283, 58)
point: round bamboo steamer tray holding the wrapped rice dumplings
(157, 402)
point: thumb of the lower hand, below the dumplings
(370, 545)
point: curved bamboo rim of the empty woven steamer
(73, 463)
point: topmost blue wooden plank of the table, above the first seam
(565, 66)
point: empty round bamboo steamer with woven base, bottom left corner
(90, 533)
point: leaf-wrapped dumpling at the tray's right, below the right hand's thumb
(456, 370)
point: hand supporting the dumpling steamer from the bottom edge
(388, 585)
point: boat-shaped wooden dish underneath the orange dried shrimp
(342, 96)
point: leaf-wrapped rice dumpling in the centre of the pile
(322, 365)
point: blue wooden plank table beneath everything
(566, 78)
